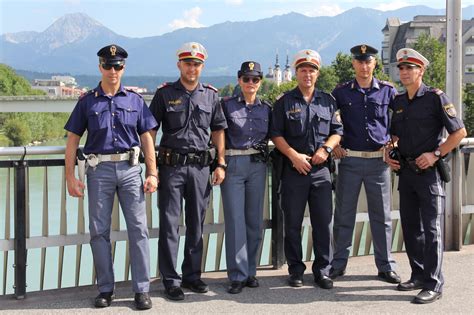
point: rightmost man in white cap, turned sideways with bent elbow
(419, 117)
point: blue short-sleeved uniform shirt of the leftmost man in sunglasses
(113, 123)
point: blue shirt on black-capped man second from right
(364, 114)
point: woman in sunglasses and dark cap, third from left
(243, 189)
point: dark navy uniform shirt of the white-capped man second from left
(187, 116)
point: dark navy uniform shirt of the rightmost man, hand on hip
(418, 123)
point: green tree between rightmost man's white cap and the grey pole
(435, 52)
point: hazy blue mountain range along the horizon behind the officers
(70, 44)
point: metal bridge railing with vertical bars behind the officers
(42, 225)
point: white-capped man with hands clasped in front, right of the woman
(304, 129)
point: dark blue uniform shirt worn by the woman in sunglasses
(247, 124)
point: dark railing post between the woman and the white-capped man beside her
(278, 254)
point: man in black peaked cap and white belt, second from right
(363, 108)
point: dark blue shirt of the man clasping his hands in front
(305, 127)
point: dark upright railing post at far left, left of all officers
(20, 229)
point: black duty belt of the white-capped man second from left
(173, 158)
